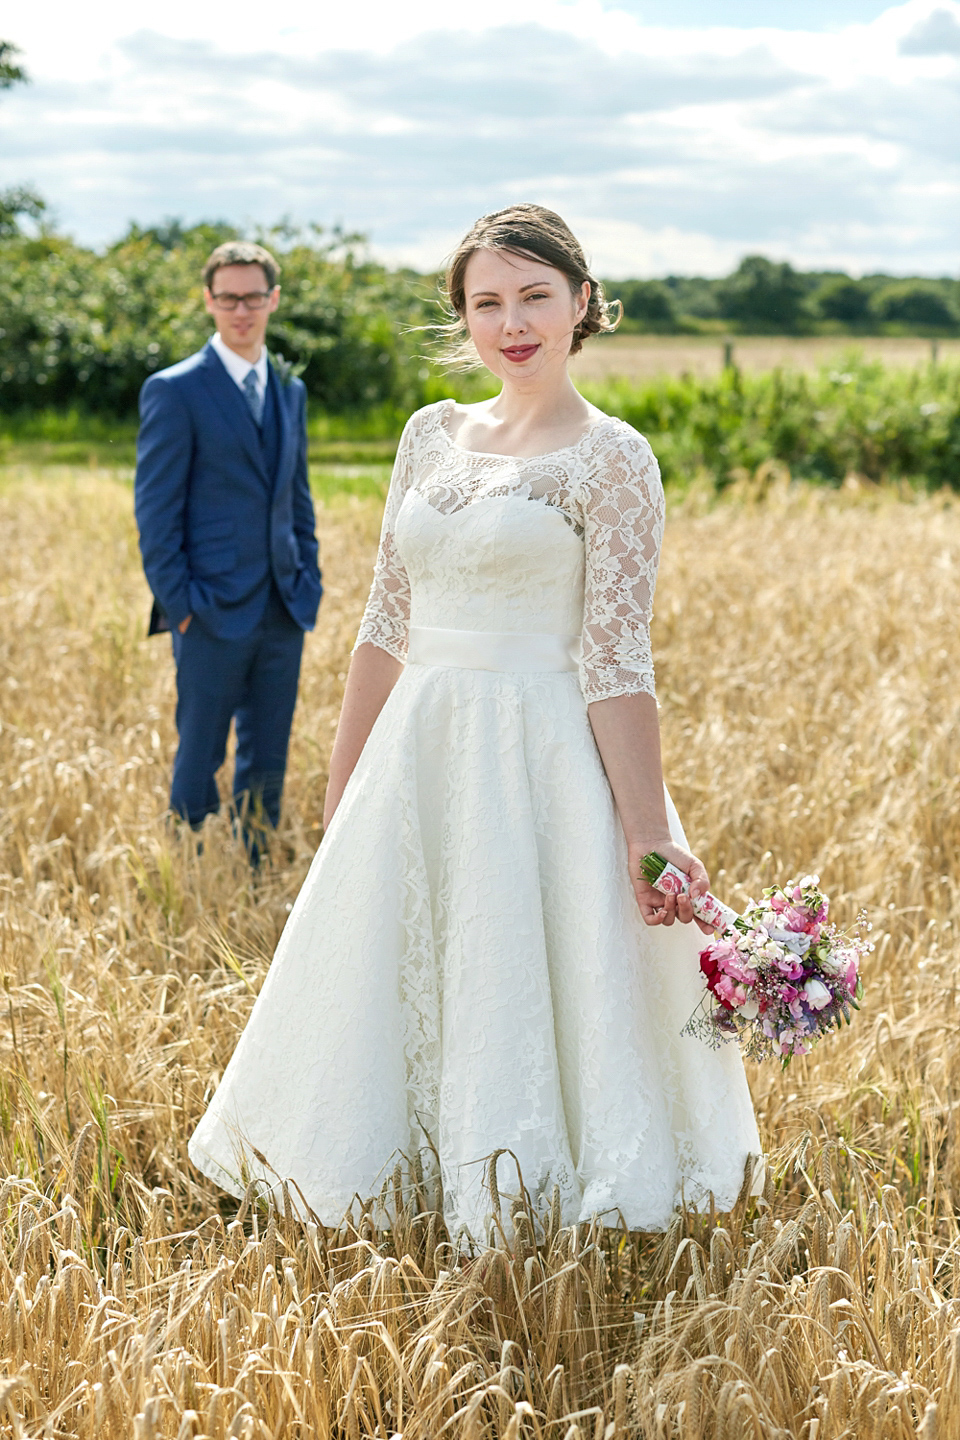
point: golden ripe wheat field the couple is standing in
(808, 659)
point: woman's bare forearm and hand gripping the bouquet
(628, 737)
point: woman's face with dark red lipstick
(522, 315)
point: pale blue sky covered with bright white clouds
(674, 136)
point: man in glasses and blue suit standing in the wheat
(228, 542)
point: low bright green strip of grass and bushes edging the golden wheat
(886, 426)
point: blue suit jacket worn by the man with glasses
(215, 526)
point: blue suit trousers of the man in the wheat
(253, 680)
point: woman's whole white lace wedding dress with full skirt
(466, 958)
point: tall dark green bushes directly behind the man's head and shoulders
(80, 329)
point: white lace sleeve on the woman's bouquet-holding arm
(622, 503)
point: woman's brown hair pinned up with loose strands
(536, 234)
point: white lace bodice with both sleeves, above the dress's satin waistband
(516, 572)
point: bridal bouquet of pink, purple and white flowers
(778, 977)
